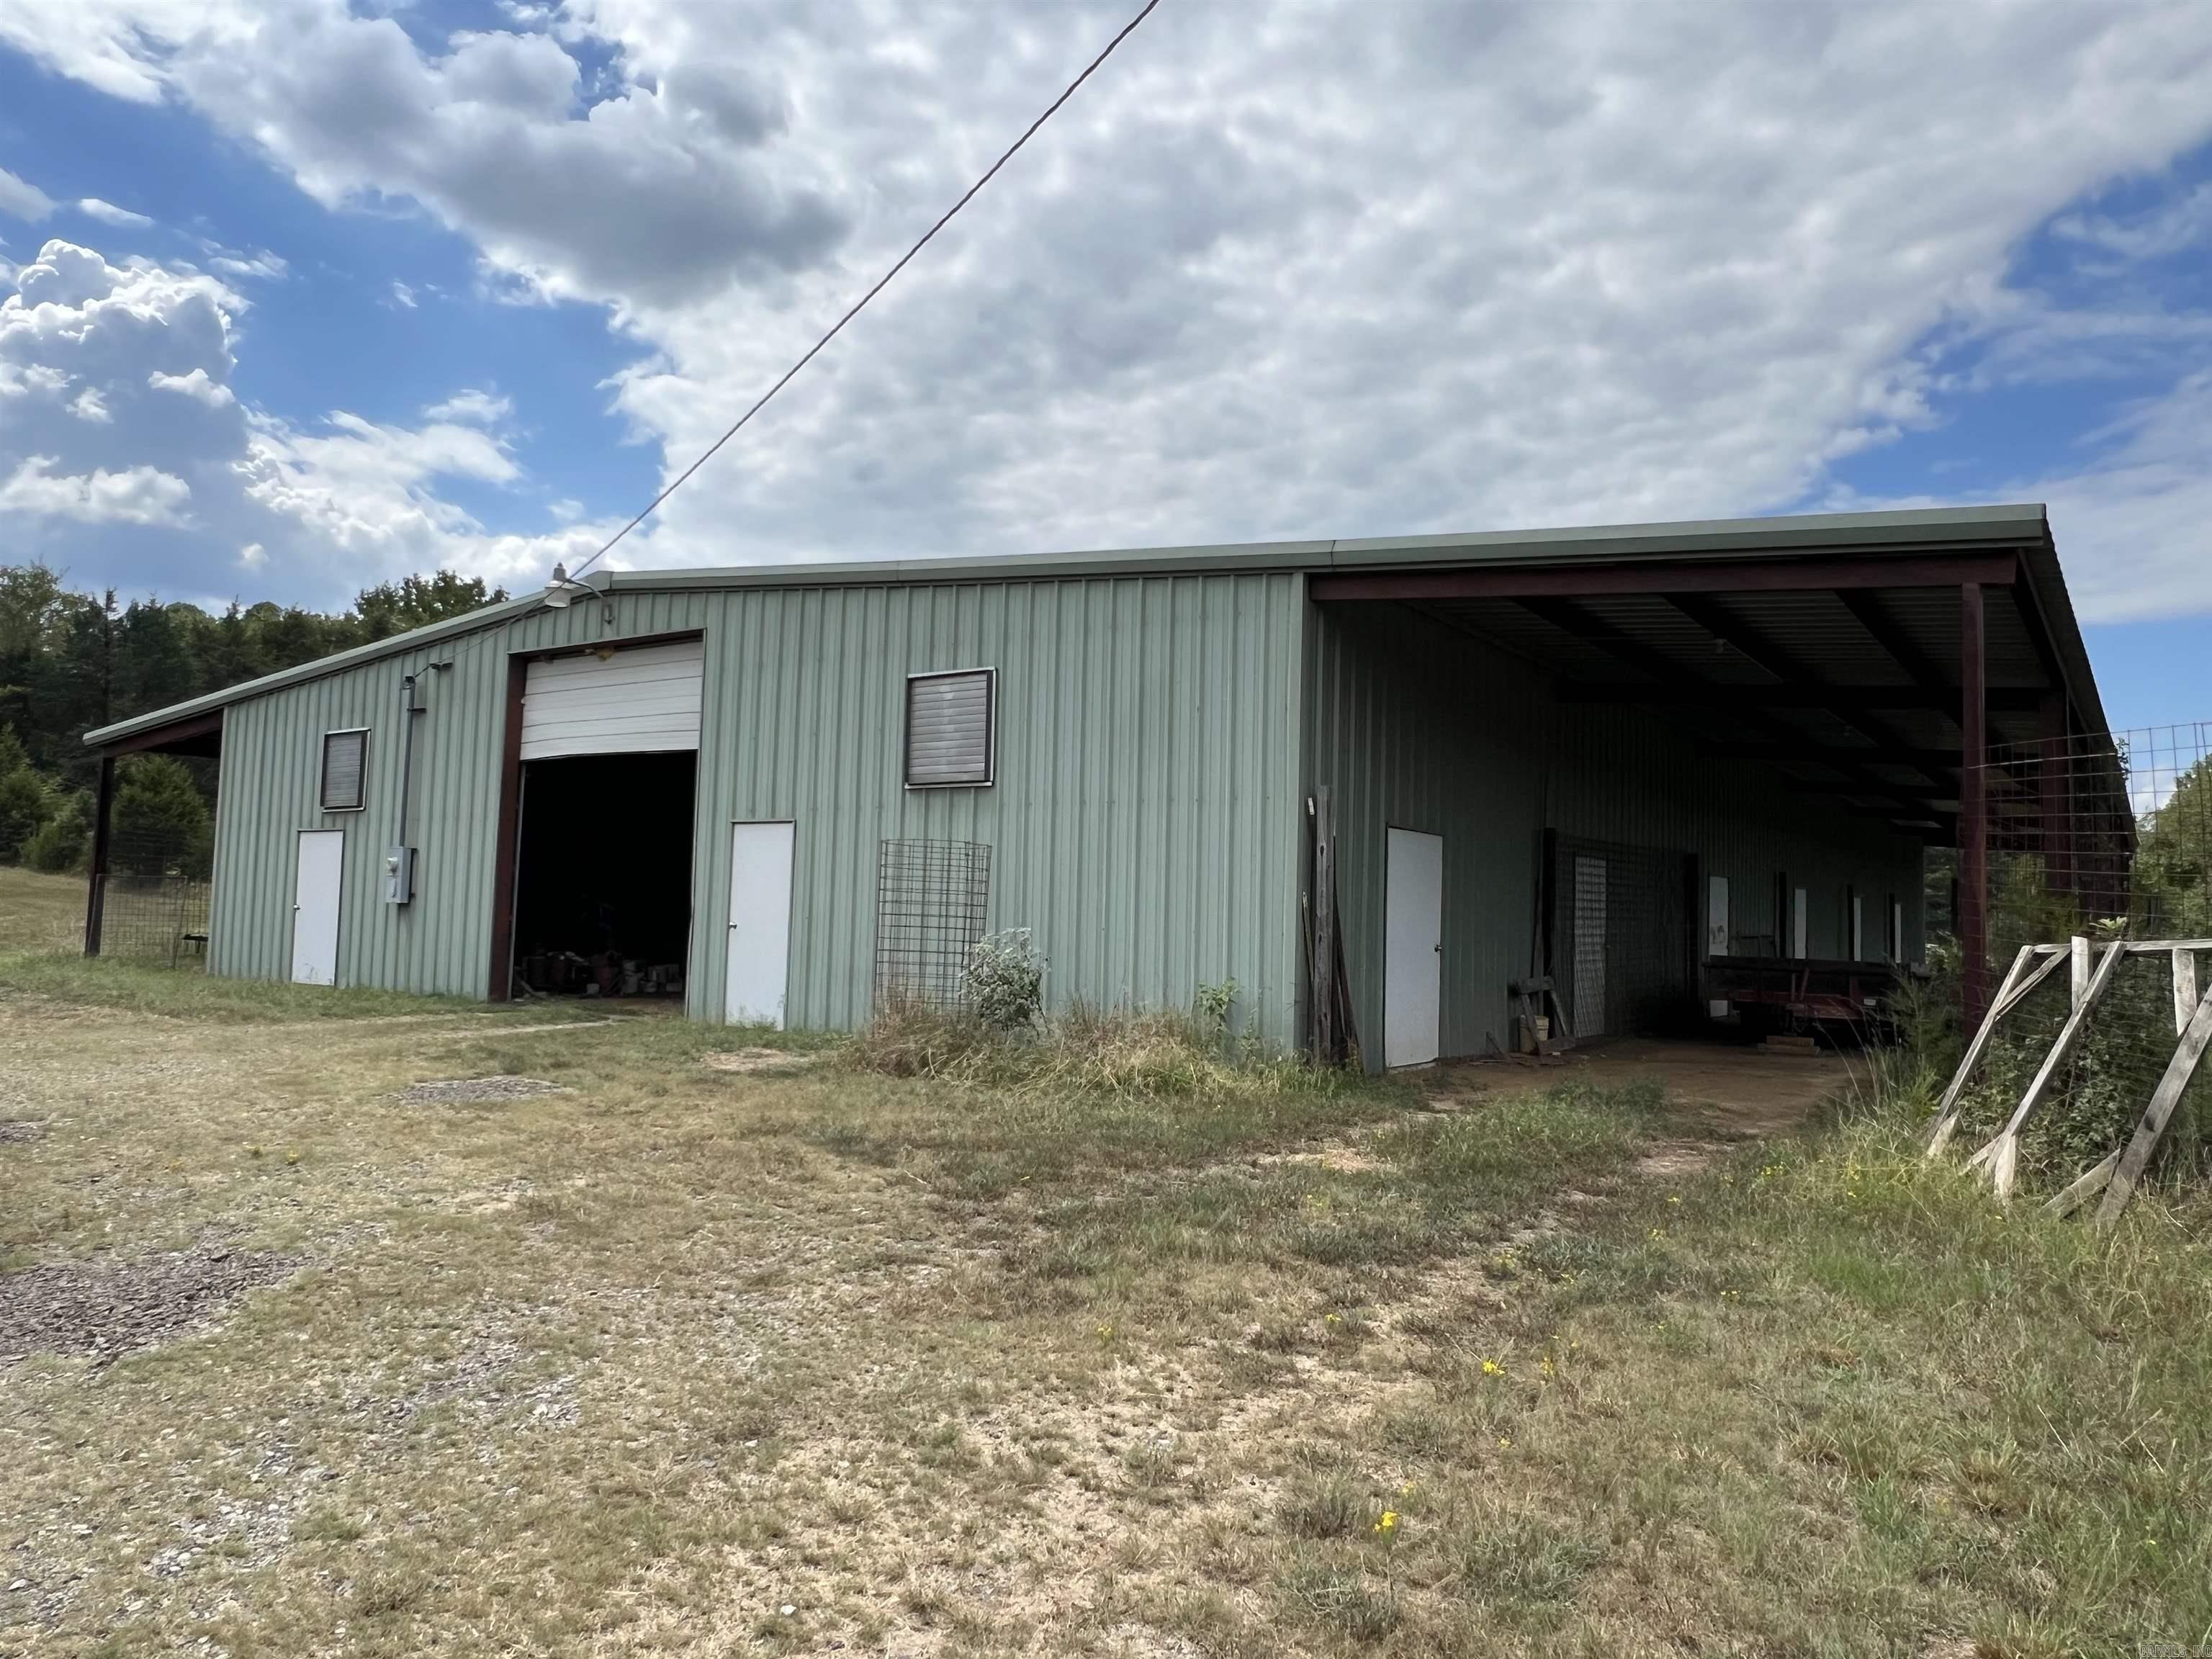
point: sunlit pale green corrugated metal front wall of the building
(1145, 824)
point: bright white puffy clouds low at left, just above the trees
(143, 357)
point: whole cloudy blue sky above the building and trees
(366, 293)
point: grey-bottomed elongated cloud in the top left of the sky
(645, 194)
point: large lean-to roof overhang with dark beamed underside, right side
(1837, 662)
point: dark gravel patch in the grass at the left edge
(109, 1308)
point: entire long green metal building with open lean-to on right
(1614, 758)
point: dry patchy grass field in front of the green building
(775, 1355)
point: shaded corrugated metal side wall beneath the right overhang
(1426, 729)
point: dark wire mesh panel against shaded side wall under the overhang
(1620, 932)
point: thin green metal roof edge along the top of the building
(1952, 530)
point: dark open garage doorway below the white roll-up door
(603, 877)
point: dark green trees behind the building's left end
(72, 662)
